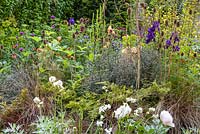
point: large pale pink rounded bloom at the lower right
(166, 118)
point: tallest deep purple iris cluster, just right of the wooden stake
(151, 32)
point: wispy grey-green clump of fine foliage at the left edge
(12, 84)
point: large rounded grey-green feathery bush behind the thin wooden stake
(121, 68)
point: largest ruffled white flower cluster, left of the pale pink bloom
(122, 111)
